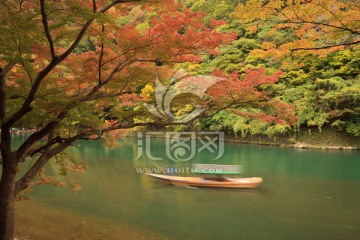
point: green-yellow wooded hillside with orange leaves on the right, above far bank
(316, 46)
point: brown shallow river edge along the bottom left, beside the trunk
(35, 221)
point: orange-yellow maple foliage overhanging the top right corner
(321, 26)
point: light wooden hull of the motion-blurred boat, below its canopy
(222, 182)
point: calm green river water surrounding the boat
(305, 195)
